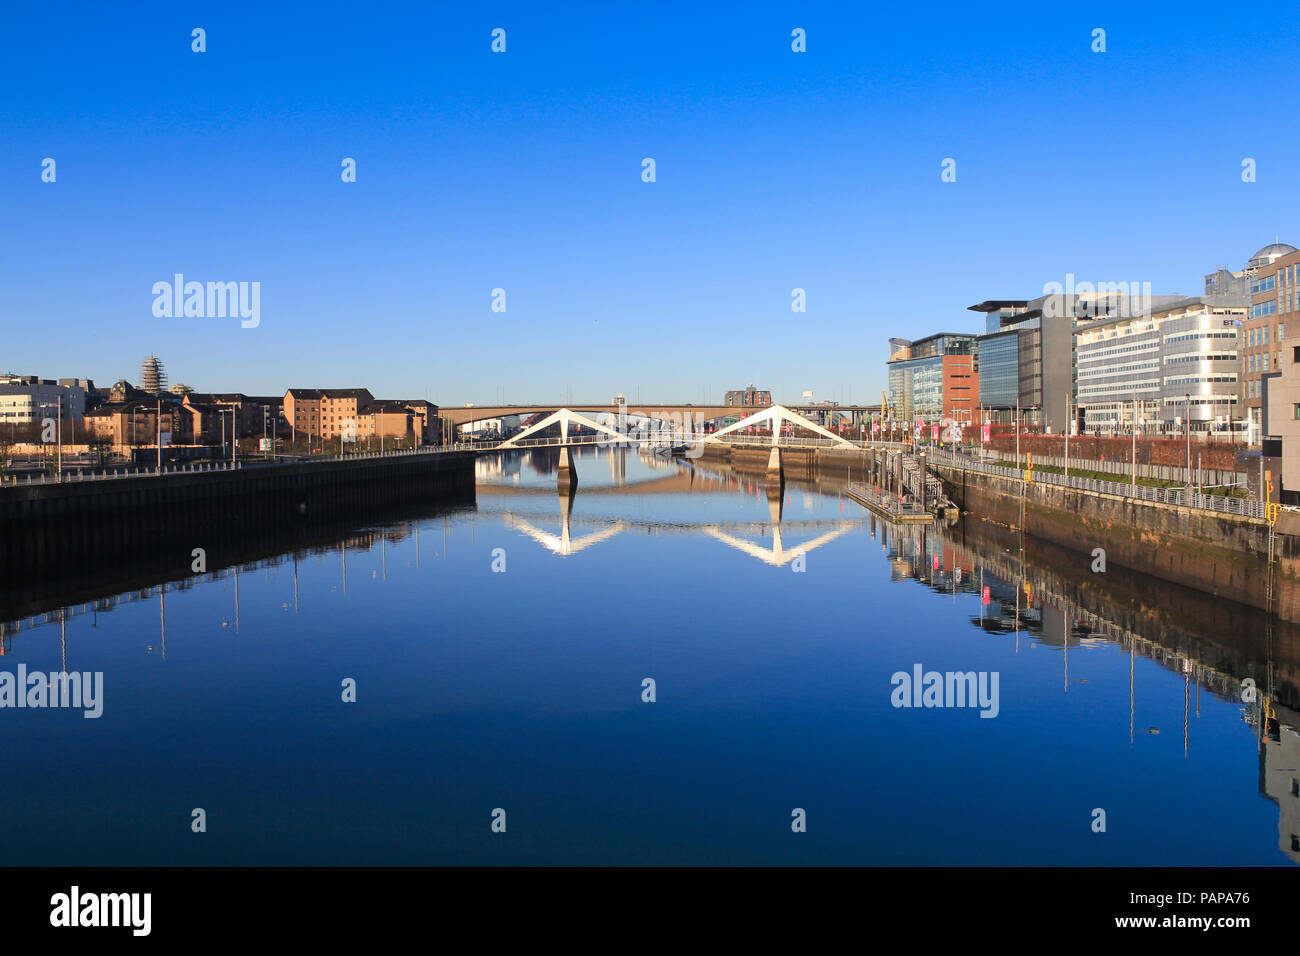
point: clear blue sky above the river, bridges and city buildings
(523, 171)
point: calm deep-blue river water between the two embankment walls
(501, 655)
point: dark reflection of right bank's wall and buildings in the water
(1211, 644)
